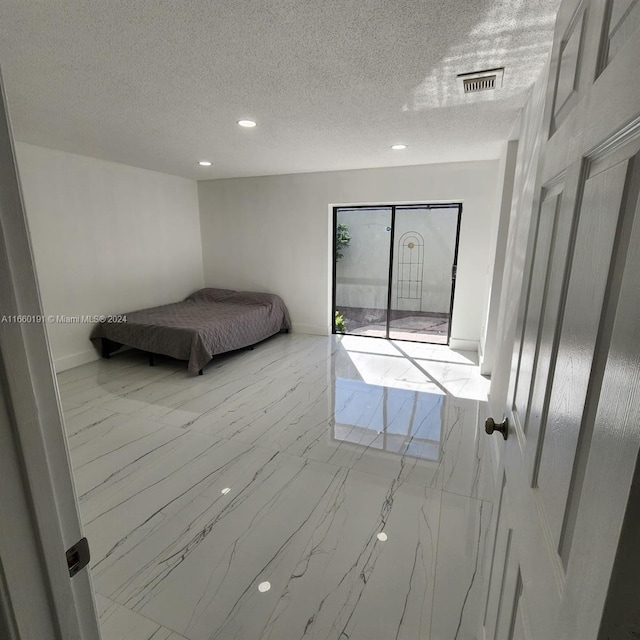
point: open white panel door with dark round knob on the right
(570, 349)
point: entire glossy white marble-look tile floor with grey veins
(320, 488)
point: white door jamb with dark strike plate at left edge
(39, 518)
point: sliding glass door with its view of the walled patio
(395, 271)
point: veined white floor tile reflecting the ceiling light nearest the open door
(350, 584)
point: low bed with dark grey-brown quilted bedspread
(207, 323)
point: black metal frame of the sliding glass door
(393, 207)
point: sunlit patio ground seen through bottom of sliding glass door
(419, 326)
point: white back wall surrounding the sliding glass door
(272, 233)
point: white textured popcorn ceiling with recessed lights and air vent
(332, 84)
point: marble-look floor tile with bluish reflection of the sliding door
(428, 439)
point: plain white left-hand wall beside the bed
(107, 238)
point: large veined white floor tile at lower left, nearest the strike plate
(196, 564)
